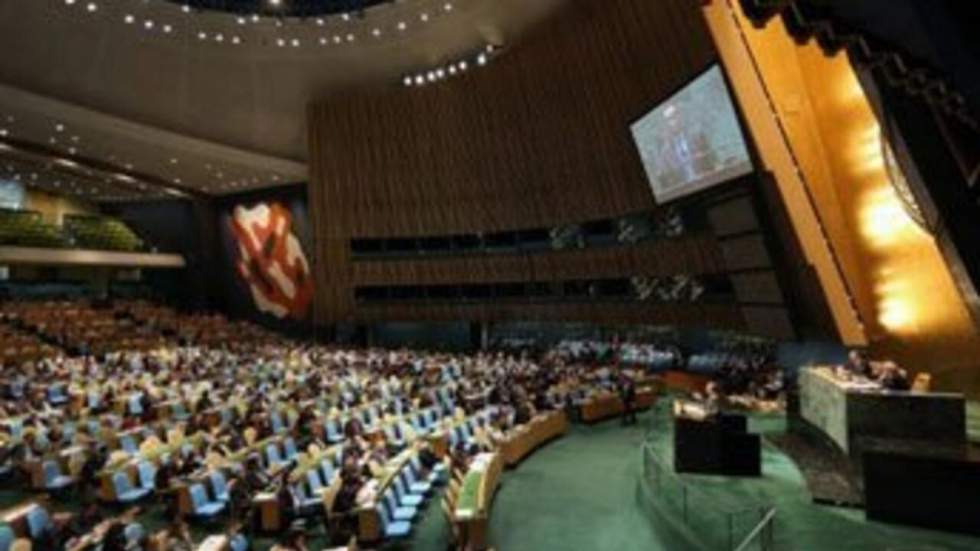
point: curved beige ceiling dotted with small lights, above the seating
(217, 116)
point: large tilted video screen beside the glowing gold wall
(692, 141)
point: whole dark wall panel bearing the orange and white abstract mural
(266, 246)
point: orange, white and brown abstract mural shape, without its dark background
(271, 260)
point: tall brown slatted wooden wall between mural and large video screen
(539, 137)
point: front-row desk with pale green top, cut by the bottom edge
(476, 493)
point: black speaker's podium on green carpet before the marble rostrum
(716, 444)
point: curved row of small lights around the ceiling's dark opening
(225, 37)
